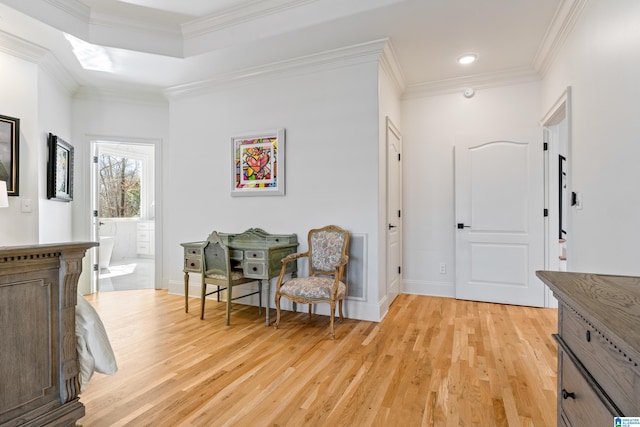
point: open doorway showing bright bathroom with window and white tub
(123, 215)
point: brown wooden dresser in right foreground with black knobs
(598, 347)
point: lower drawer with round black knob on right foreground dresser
(580, 405)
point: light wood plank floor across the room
(430, 362)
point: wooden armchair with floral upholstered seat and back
(327, 255)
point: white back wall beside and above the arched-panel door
(429, 127)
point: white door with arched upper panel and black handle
(499, 218)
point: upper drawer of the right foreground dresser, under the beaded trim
(607, 363)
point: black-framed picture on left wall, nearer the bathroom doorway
(60, 170)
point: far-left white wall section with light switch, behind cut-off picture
(19, 99)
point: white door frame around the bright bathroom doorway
(91, 141)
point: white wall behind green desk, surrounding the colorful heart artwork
(332, 144)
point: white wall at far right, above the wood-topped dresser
(601, 62)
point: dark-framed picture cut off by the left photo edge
(9, 153)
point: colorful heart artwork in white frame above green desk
(257, 164)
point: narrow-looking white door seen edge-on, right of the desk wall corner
(394, 214)
